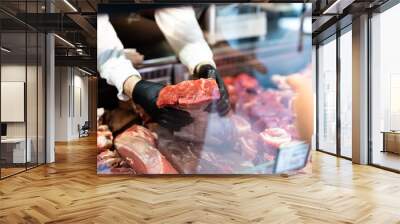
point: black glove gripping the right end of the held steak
(223, 104)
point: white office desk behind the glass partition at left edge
(13, 150)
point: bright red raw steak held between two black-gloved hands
(189, 94)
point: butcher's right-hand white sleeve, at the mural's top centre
(183, 33)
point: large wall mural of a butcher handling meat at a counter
(198, 90)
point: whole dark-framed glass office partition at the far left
(22, 88)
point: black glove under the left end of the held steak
(146, 93)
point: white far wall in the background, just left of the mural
(70, 83)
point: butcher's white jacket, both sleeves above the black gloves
(179, 26)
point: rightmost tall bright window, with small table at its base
(385, 89)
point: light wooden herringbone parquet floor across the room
(70, 192)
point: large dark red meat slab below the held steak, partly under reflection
(222, 151)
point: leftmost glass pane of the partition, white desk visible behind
(13, 95)
